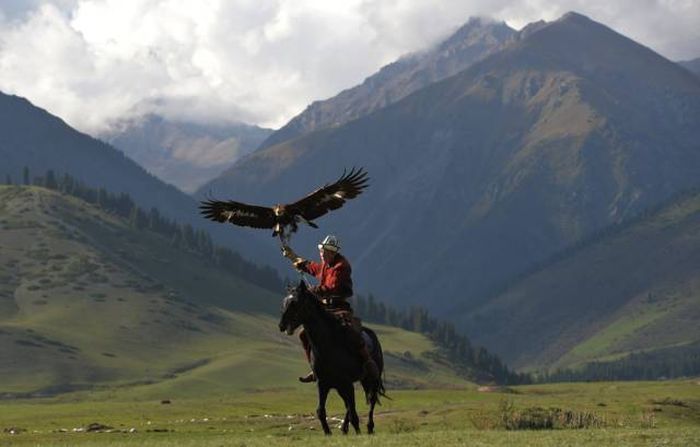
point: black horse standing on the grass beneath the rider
(332, 359)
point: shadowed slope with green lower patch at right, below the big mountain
(634, 289)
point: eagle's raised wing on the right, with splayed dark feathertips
(333, 196)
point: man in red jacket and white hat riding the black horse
(334, 288)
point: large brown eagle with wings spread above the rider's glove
(284, 219)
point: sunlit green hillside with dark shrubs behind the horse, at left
(88, 302)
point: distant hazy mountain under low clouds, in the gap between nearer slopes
(184, 154)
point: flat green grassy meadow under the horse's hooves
(631, 413)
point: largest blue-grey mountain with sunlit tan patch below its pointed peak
(568, 128)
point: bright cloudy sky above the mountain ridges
(95, 62)
